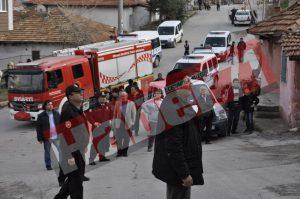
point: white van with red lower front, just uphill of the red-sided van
(220, 42)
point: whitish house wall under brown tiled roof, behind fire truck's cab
(21, 52)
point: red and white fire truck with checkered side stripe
(92, 67)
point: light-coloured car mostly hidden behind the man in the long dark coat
(220, 119)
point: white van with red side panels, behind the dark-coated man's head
(207, 64)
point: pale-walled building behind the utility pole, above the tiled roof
(135, 13)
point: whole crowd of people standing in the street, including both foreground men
(115, 120)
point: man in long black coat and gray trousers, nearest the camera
(178, 153)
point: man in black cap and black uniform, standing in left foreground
(74, 139)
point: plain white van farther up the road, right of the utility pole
(170, 33)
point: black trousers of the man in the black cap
(72, 186)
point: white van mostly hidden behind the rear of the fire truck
(146, 36)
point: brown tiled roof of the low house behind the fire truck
(56, 26)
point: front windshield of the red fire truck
(25, 82)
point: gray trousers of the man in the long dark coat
(178, 192)
